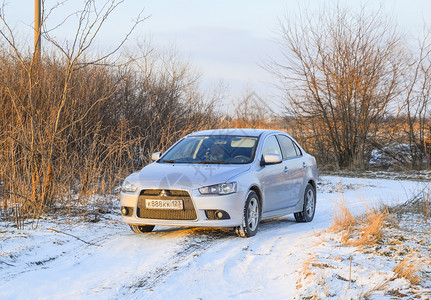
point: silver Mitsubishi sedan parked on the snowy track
(222, 178)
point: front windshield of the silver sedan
(213, 149)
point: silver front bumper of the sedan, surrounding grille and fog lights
(233, 204)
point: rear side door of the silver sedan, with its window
(294, 164)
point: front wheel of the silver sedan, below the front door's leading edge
(251, 217)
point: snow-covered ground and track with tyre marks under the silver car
(285, 260)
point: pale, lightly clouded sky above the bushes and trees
(226, 41)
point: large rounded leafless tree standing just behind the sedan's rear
(341, 70)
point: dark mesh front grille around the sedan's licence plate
(188, 213)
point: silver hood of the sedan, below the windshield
(186, 176)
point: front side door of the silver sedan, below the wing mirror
(273, 178)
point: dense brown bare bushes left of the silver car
(73, 125)
